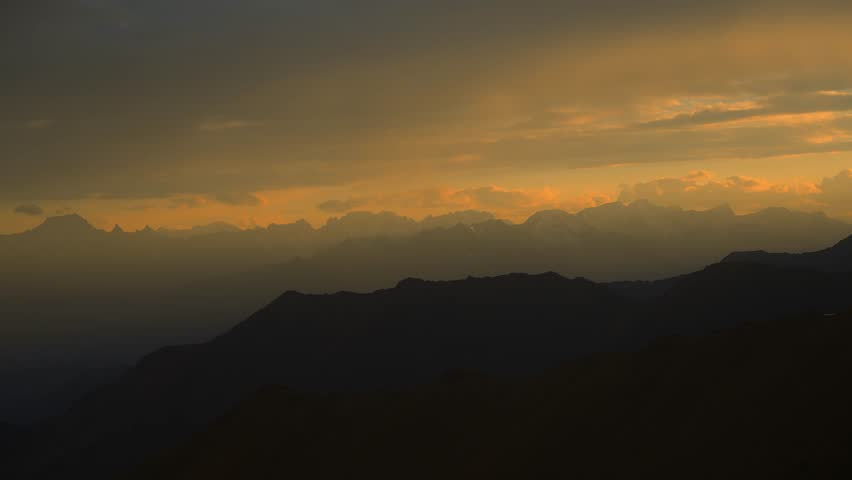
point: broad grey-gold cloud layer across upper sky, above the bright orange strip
(336, 91)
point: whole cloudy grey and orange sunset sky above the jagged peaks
(184, 112)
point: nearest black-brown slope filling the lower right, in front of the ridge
(766, 400)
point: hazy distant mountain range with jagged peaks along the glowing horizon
(81, 299)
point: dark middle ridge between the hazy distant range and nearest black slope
(508, 325)
